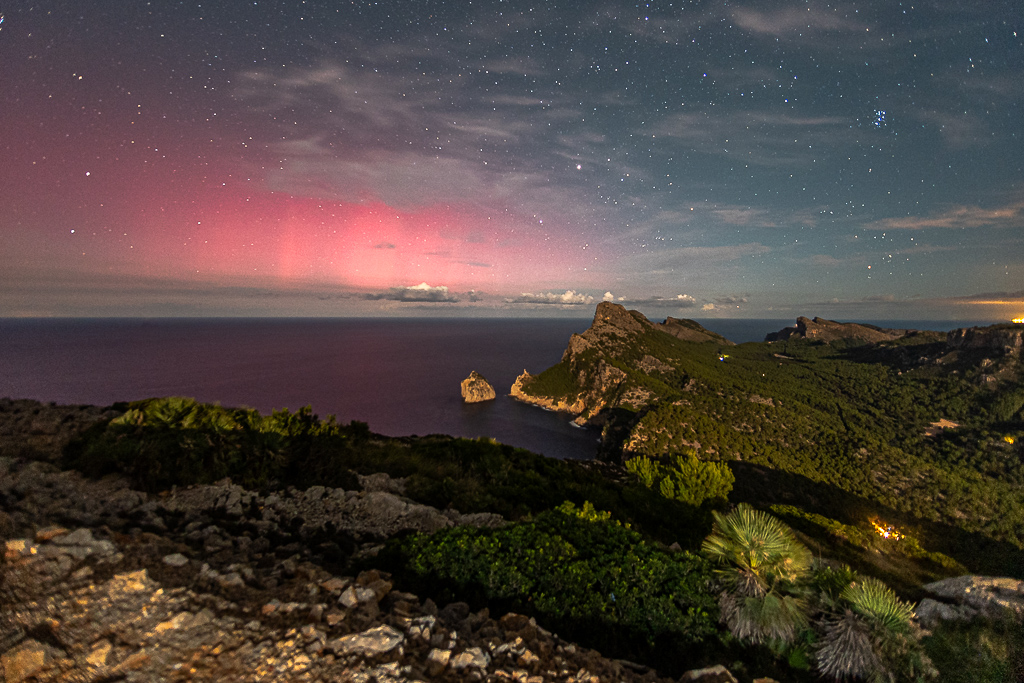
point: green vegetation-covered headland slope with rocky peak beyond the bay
(923, 430)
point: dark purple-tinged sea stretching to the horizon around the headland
(401, 376)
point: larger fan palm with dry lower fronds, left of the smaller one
(762, 569)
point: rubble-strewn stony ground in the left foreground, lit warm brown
(104, 583)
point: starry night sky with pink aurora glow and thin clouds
(851, 160)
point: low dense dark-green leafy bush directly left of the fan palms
(594, 579)
